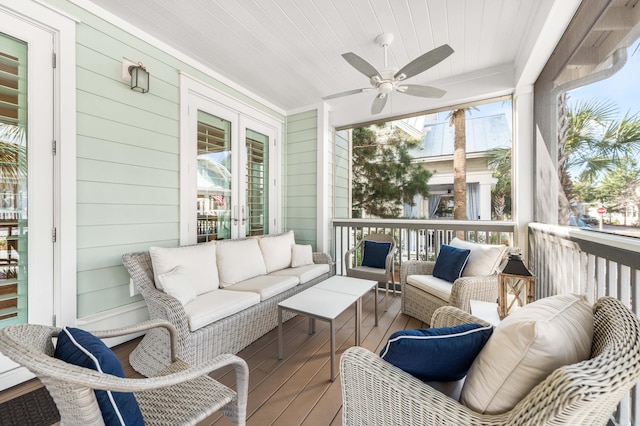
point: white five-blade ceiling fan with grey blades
(389, 79)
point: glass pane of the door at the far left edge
(13, 181)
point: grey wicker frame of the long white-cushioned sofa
(228, 335)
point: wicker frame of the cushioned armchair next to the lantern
(421, 305)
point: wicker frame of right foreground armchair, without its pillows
(375, 392)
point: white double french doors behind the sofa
(229, 159)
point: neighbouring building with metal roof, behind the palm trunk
(436, 154)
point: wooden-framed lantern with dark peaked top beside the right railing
(516, 285)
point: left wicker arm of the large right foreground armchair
(383, 394)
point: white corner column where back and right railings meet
(523, 164)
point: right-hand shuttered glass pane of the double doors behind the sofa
(257, 146)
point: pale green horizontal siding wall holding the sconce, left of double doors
(128, 165)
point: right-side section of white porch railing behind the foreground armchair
(596, 264)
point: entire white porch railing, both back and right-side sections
(562, 259)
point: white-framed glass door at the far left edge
(26, 175)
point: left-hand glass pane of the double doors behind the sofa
(214, 178)
